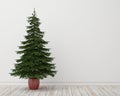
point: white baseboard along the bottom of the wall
(63, 83)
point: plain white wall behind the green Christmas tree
(84, 37)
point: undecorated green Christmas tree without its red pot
(35, 60)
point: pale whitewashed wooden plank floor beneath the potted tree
(81, 90)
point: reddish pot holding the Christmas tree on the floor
(33, 83)
